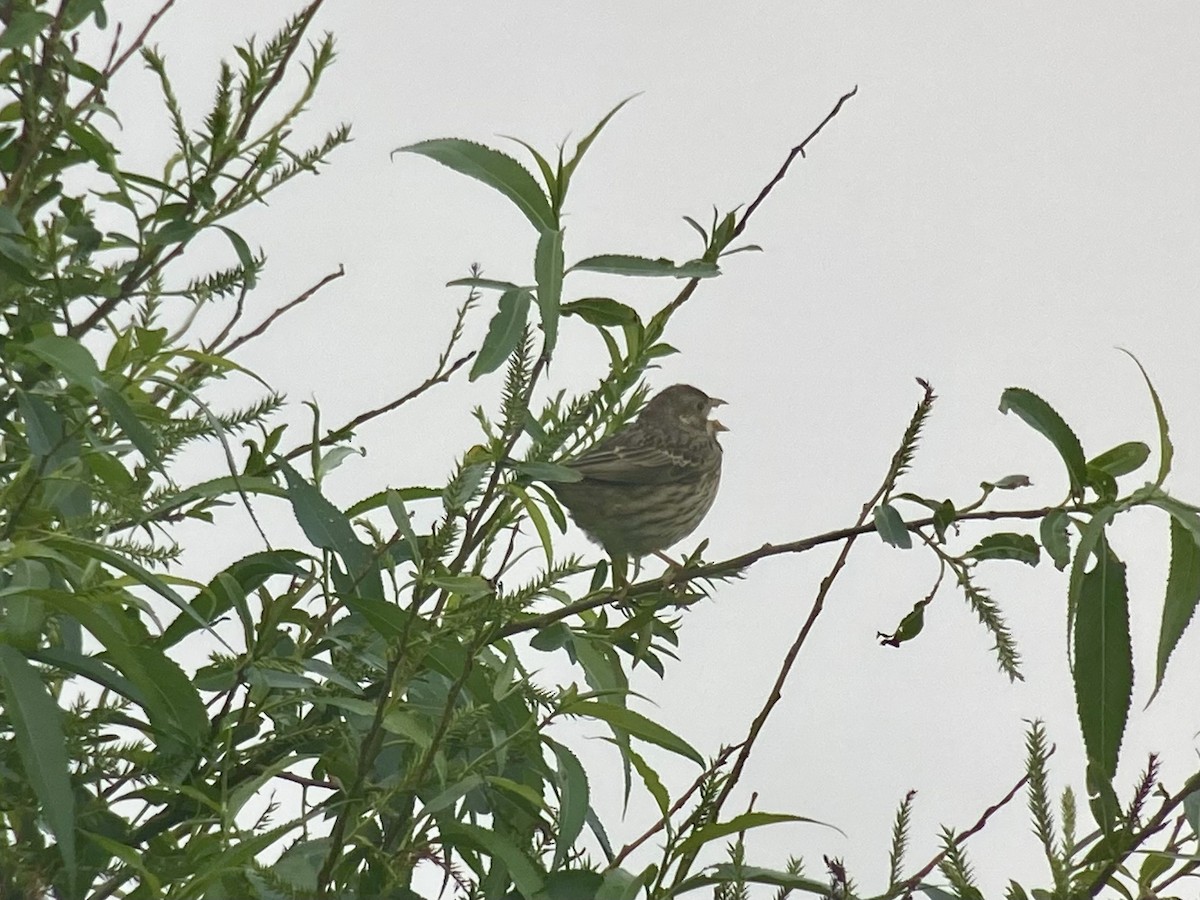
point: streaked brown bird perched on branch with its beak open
(650, 485)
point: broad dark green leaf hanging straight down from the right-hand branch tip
(1103, 661)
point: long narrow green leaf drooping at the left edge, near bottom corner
(41, 746)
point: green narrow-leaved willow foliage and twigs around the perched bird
(374, 673)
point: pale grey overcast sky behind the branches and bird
(1012, 196)
